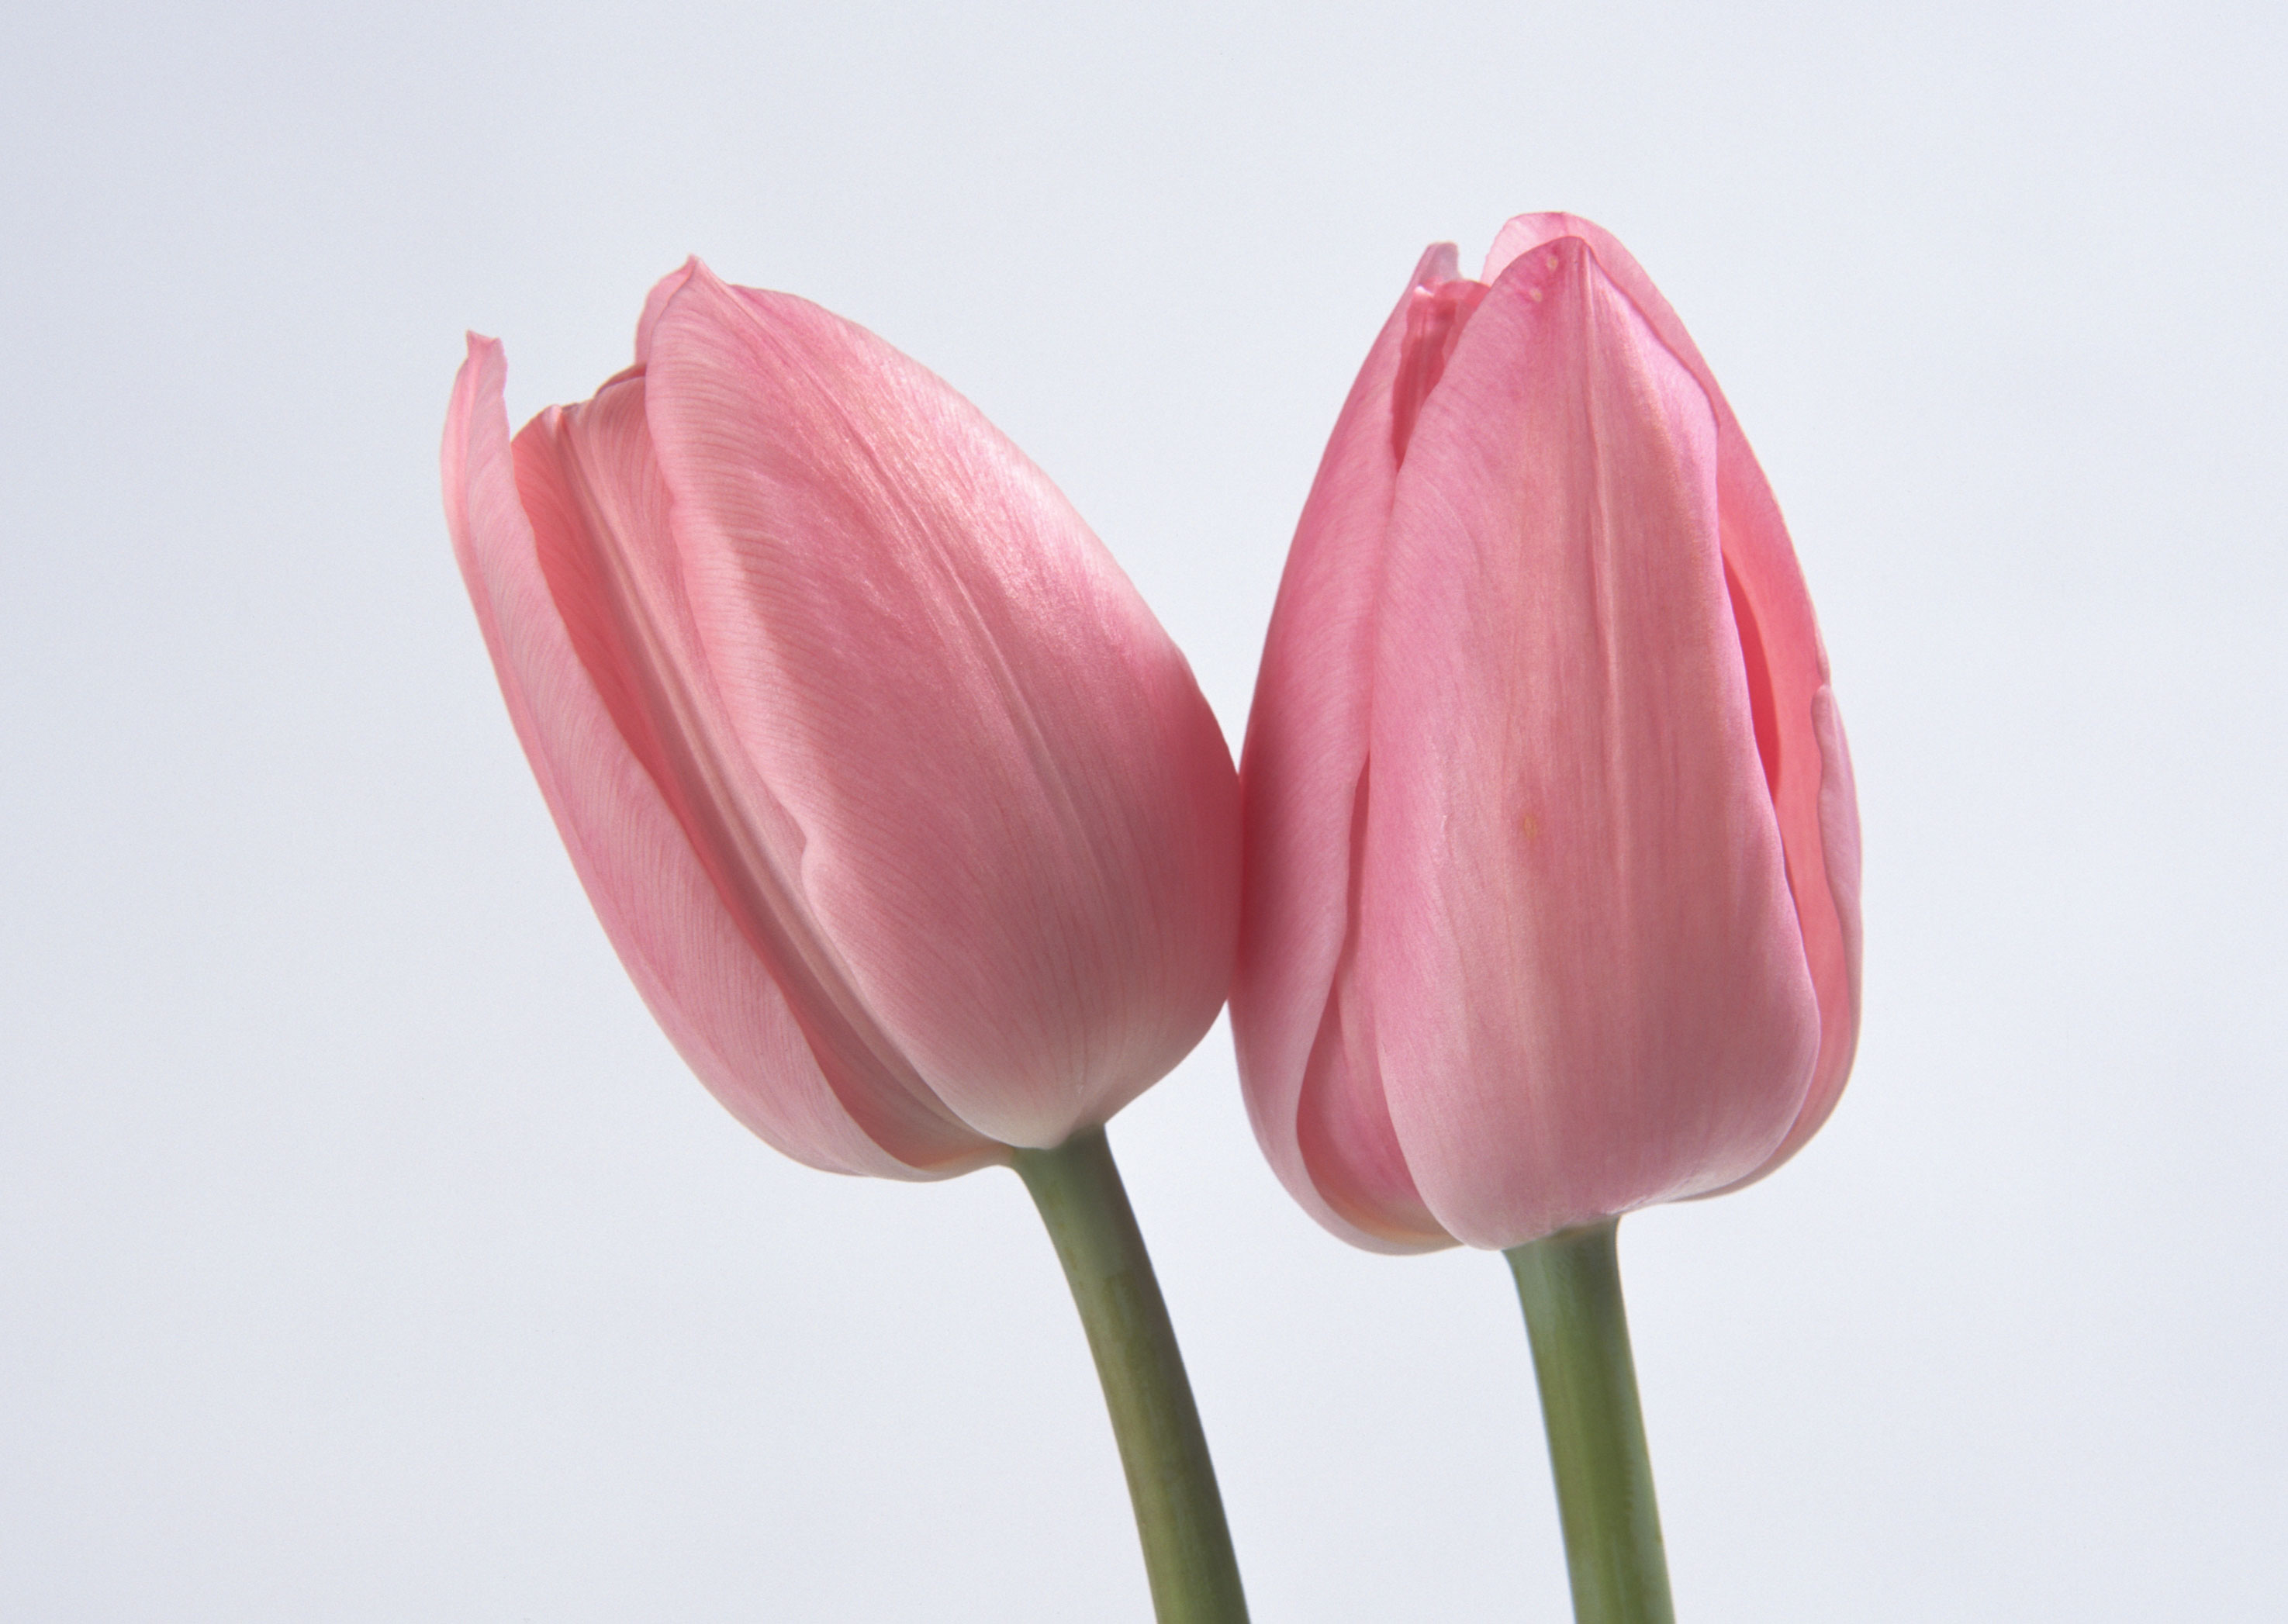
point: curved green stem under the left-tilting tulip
(1170, 1479)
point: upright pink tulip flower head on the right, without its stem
(1552, 847)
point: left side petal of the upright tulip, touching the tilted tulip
(1308, 1065)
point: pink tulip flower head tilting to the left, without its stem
(900, 806)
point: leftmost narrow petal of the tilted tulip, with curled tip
(653, 895)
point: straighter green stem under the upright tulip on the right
(1580, 1332)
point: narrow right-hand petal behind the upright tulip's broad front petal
(1786, 653)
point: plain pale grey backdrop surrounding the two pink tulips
(367, 1255)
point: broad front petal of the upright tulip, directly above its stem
(1580, 946)
